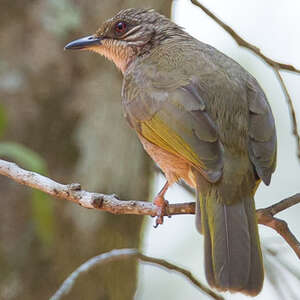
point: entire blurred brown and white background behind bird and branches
(60, 115)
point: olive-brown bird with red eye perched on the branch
(203, 119)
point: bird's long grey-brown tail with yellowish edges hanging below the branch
(233, 258)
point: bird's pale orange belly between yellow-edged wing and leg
(174, 167)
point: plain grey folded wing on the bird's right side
(262, 134)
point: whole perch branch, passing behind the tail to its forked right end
(112, 204)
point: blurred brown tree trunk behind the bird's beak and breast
(66, 107)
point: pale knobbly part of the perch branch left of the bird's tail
(73, 192)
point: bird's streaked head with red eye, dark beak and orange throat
(129, 34)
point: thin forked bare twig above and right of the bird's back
(277, 66)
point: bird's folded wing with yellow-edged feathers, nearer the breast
(176, 120)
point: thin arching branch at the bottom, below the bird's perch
(124, 253)
